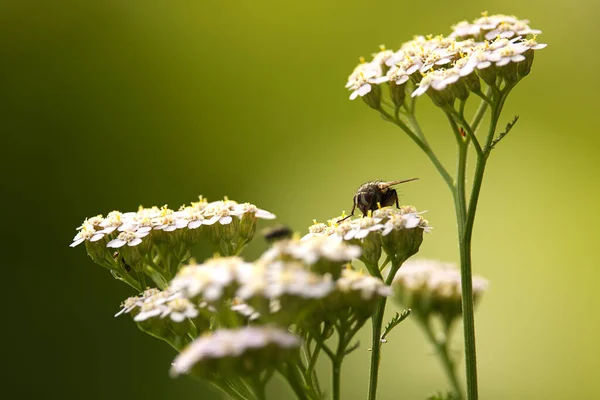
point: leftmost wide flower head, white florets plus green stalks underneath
(135, 235)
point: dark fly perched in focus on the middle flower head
(375, 194)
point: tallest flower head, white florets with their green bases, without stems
(443, 67)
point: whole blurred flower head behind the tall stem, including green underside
(431, 287)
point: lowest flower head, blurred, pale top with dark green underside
(229, 353)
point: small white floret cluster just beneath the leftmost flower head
(154, 303)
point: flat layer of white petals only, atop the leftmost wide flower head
(132, 227)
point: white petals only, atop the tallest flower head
(437, 62)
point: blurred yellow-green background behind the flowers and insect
(108, 104)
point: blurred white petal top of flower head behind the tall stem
(435, 279)
